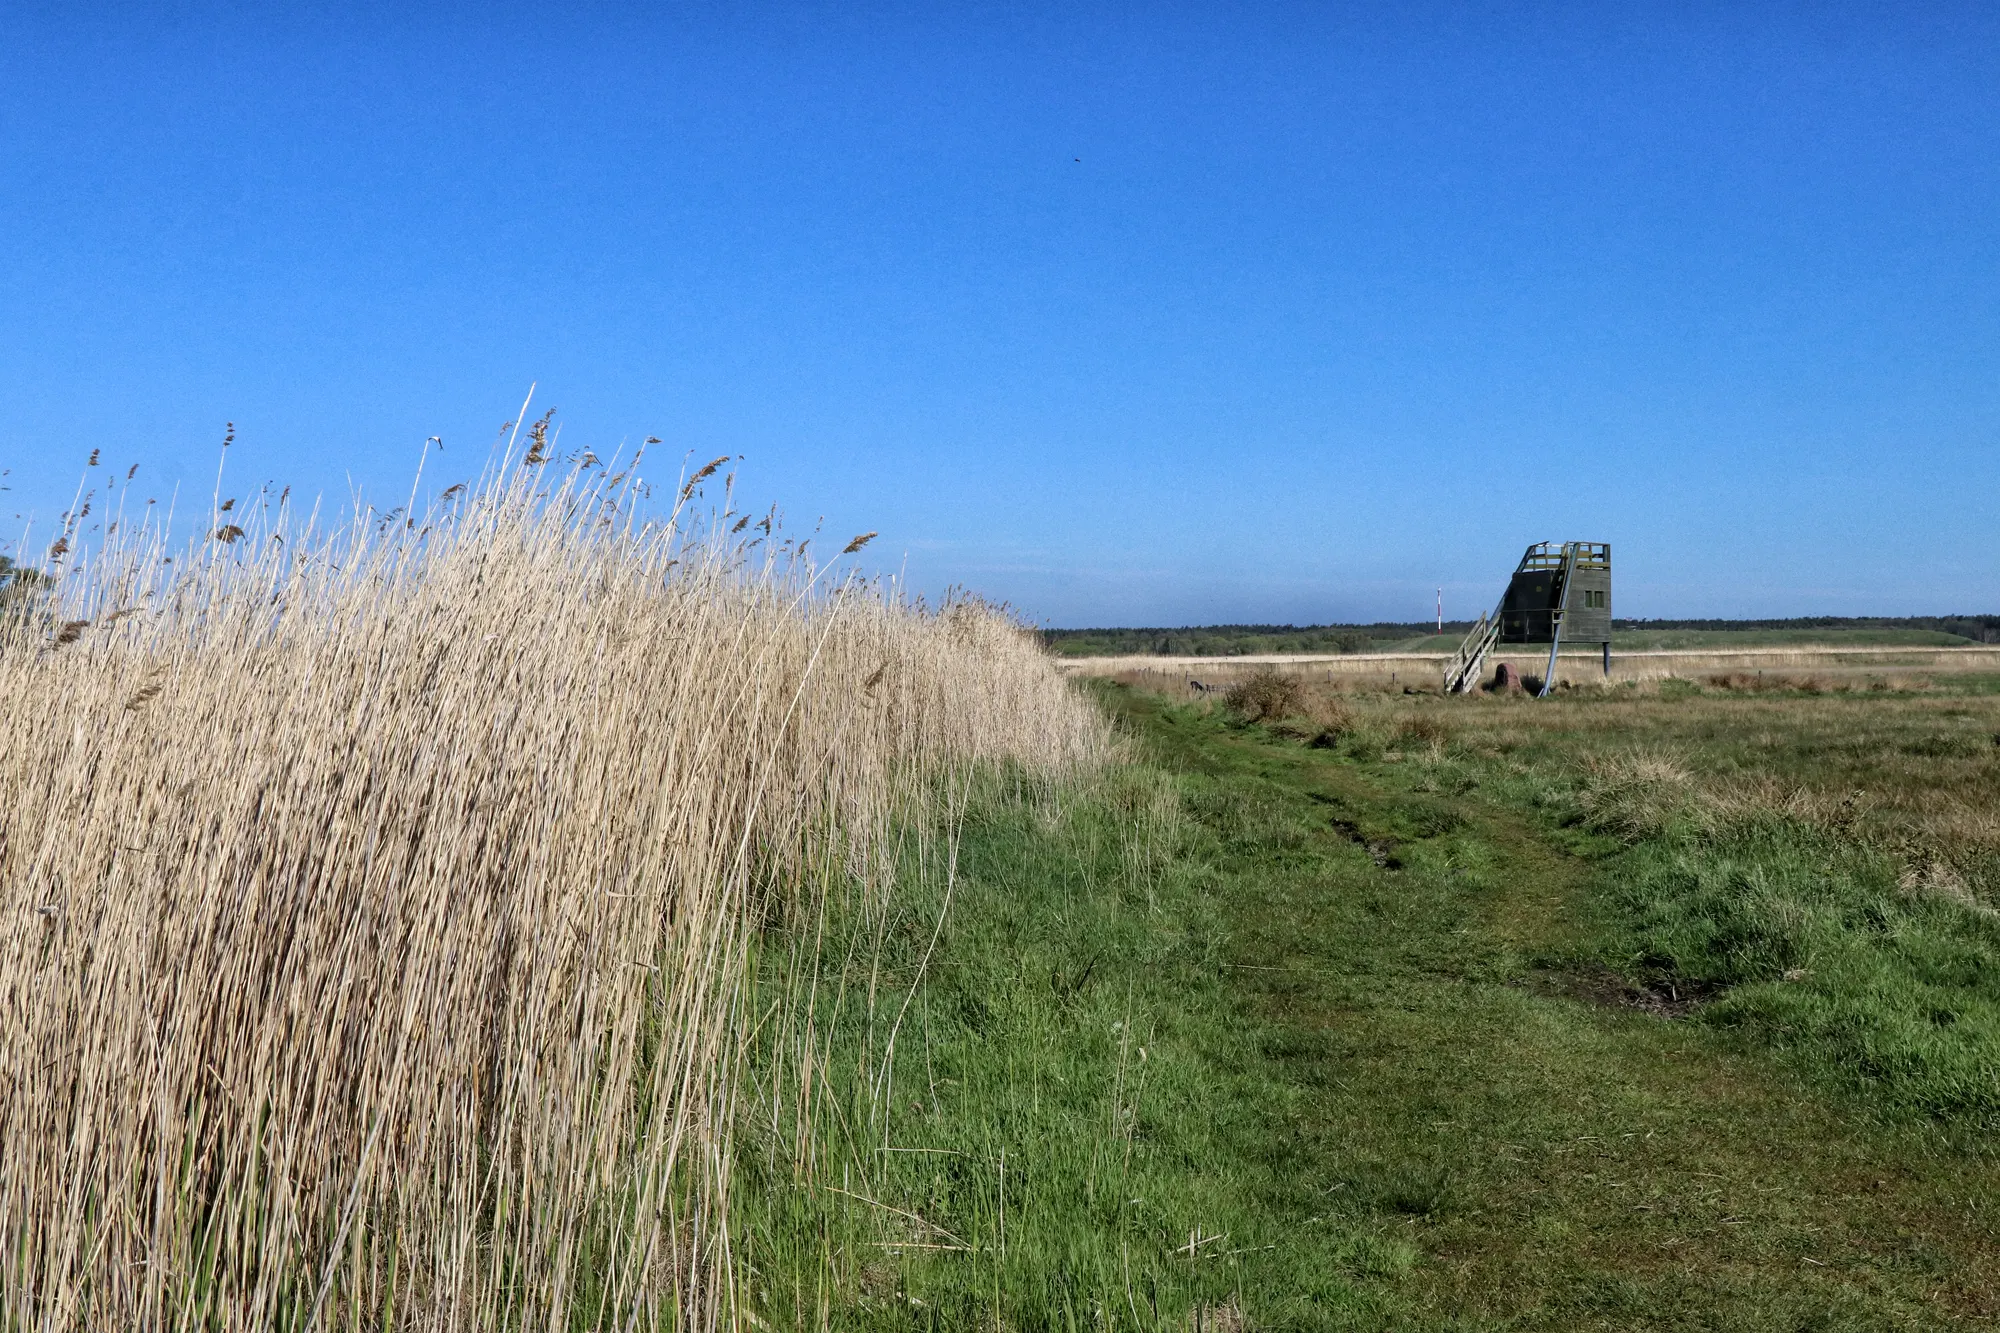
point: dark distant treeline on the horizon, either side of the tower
(1243, 639)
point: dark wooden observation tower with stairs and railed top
(1559, 593)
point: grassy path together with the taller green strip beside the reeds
(1391, 1090)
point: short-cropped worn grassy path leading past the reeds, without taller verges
(1555, 1156)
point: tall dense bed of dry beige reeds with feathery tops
(377, 902)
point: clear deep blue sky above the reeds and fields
(1131, 315)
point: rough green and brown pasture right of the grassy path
(1825, 866)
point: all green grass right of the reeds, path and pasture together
(1365, 1018)
